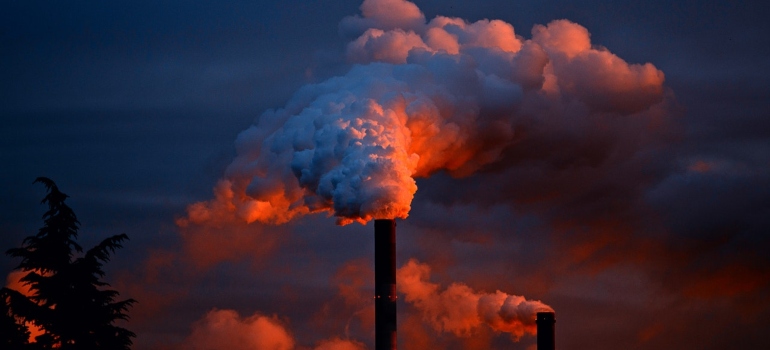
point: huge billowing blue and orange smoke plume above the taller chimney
(424, 96)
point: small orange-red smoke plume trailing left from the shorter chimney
(460, 310)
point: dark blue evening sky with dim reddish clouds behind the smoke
(133, 109)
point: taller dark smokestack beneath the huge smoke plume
(385, 284)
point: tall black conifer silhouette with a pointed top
(67, 300)
